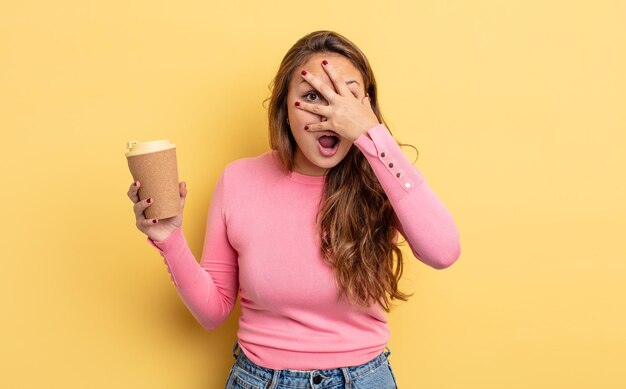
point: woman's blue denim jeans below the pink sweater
(375, 374)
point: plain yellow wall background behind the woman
(517, 109)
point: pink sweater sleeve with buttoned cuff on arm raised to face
(421, 217)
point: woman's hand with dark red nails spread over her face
(346, 115)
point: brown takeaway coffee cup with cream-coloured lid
(153, 164)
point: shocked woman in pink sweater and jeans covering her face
(307, 232)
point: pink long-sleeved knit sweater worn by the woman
(261, 242)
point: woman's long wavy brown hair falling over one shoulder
(355, 220)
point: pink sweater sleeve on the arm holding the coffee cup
(209, 288)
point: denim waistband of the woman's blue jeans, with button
(303, 378)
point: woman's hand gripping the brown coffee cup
(157, 230)
